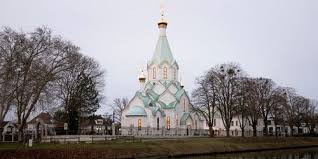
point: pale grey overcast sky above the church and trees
(277, 39)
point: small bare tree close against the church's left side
(118, 106)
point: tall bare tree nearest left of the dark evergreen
(38, 66)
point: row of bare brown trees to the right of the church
(227, 91)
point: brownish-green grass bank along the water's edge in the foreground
(151, 147)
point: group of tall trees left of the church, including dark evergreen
(39, 70)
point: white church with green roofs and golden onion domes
(162, 106)
